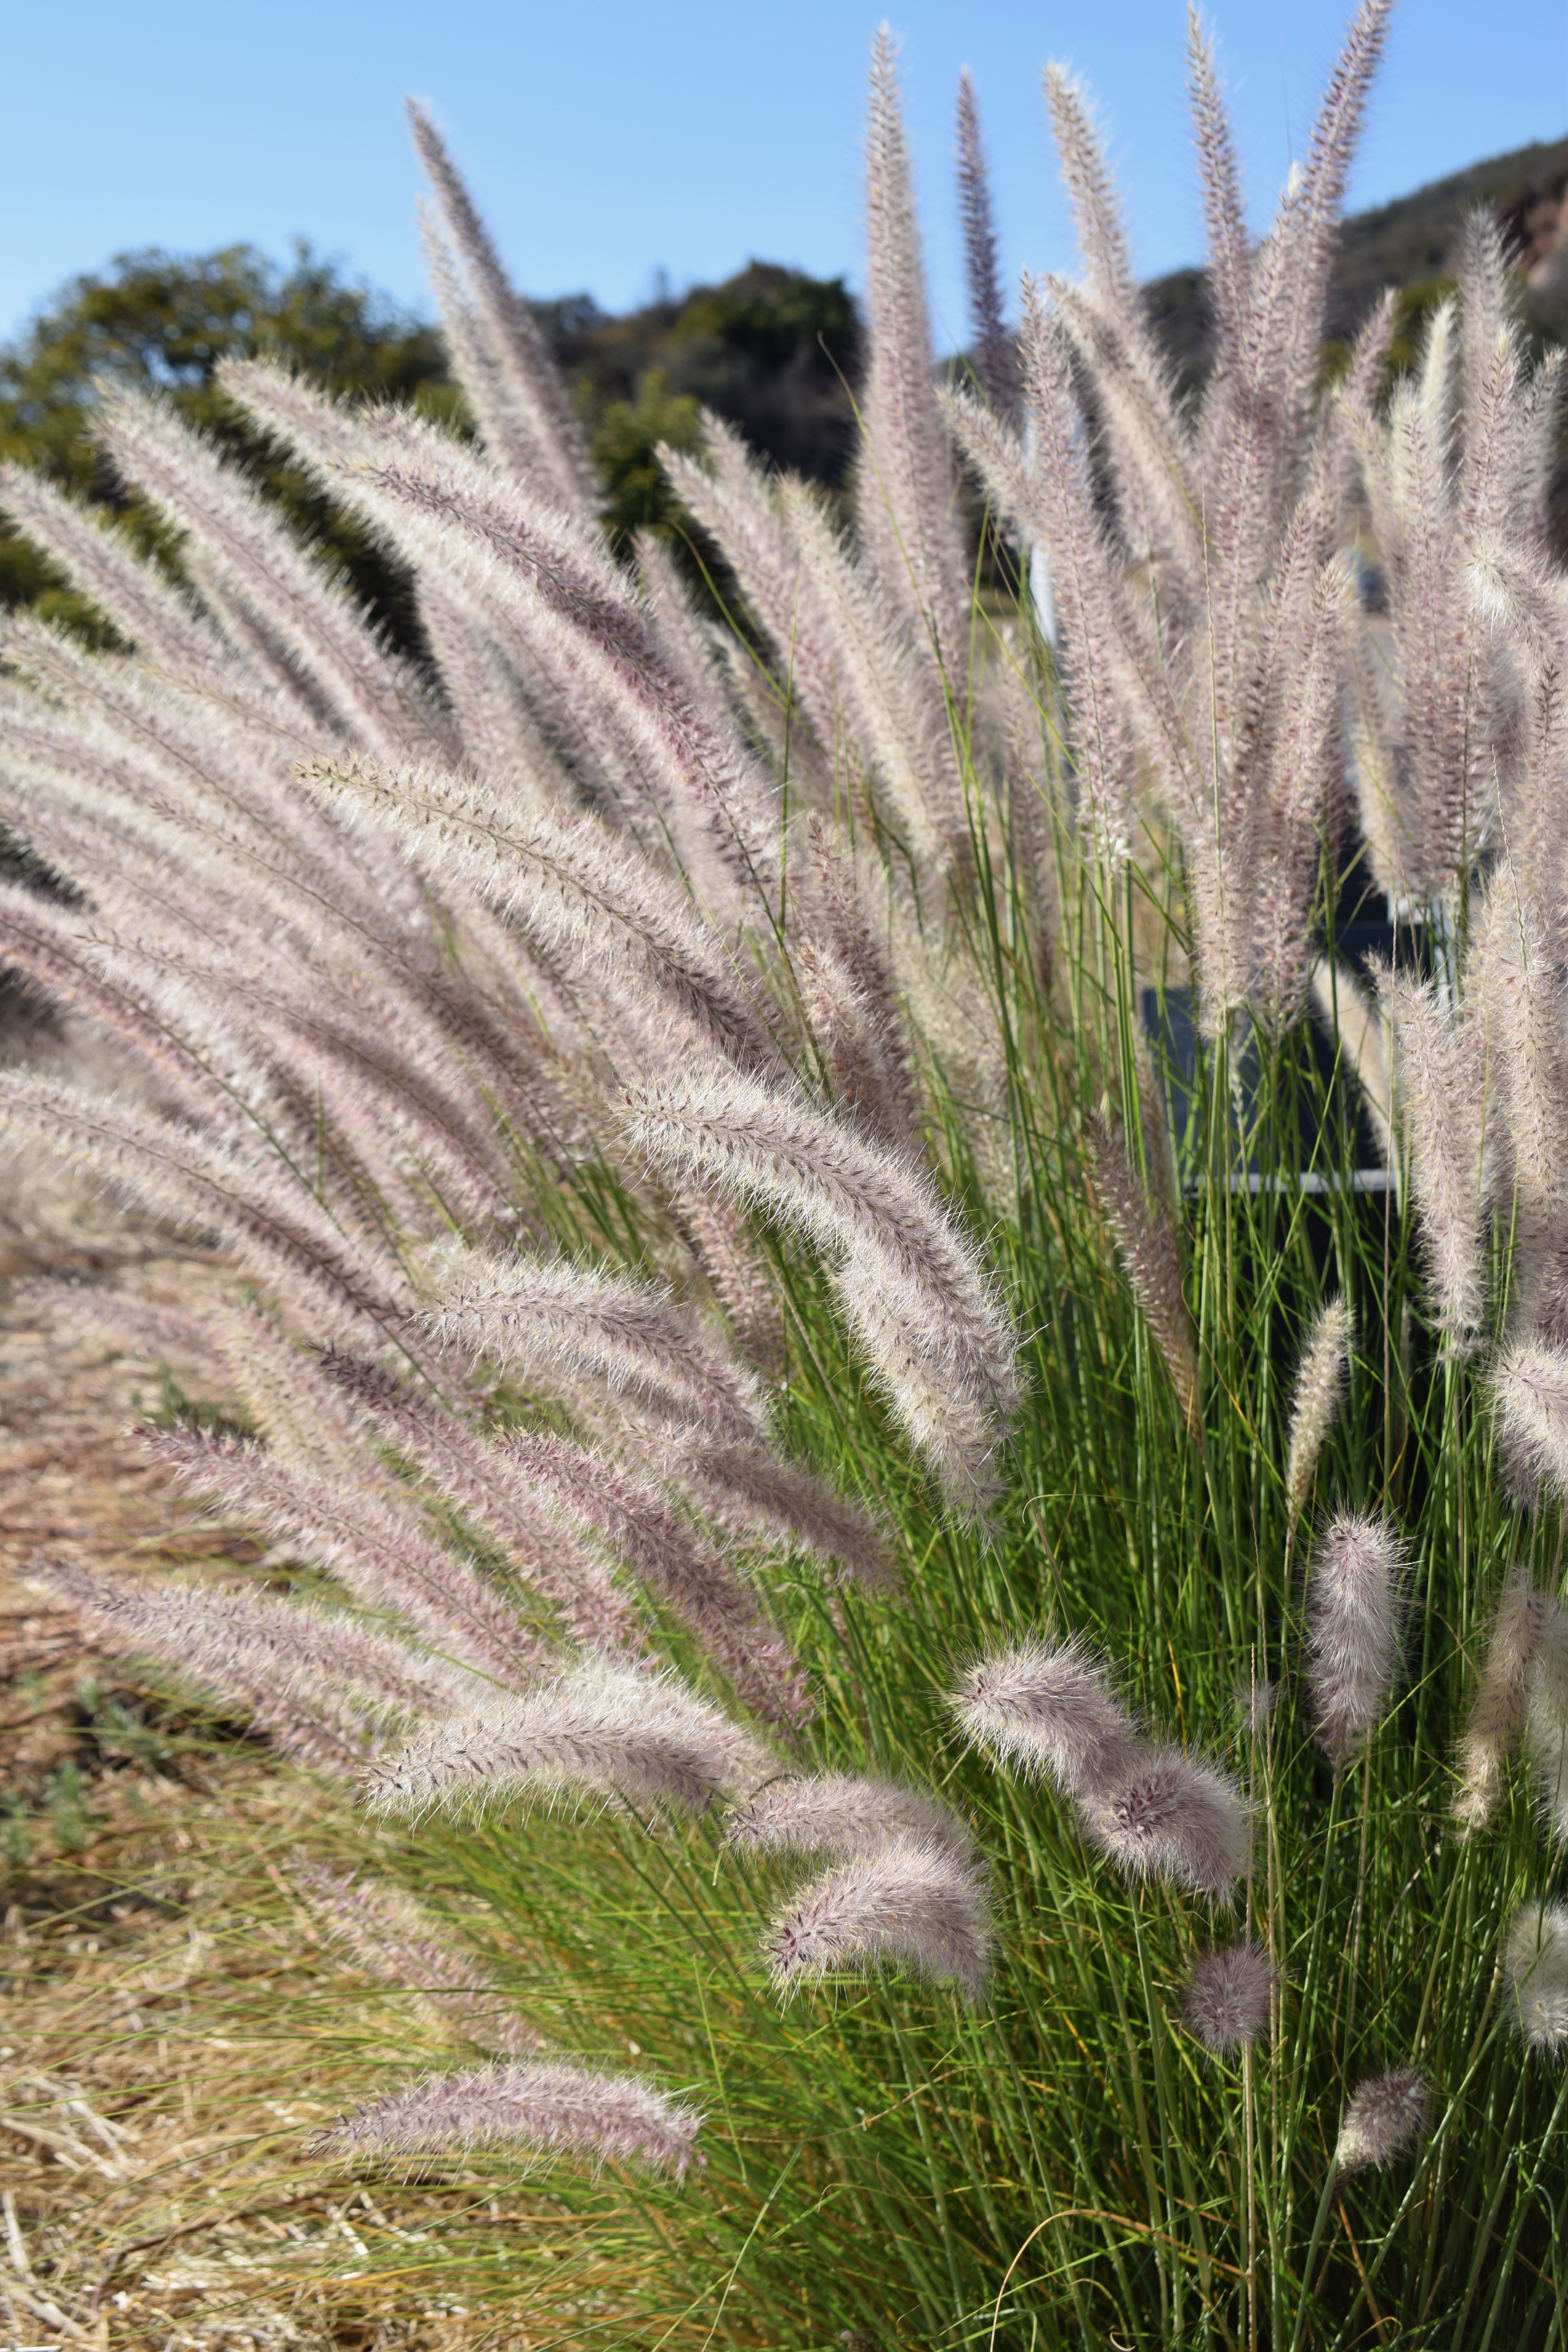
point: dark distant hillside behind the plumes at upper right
(1414, 246)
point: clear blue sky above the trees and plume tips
(610, 142)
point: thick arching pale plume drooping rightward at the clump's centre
(911, 1285)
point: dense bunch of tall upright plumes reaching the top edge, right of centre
(1198, 563)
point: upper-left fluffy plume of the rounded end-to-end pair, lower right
(1047, 1709)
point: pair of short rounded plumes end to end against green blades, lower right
(1148, 1808)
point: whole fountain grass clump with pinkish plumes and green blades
(906, 1434)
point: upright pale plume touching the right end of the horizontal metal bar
(1442, 1071)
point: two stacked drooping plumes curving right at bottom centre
(904, 1887)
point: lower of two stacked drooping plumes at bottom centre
(906, 1902)
